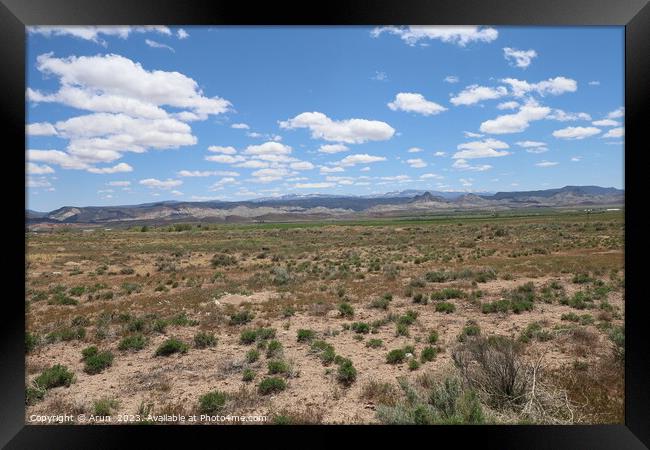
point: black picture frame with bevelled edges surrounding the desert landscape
(633, 14)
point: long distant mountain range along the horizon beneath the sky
(323, 206)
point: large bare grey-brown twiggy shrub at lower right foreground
(493, 366)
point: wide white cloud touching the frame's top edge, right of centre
(459, 35)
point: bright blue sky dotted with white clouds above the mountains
(126, 115)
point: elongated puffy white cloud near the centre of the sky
(351, 131)
